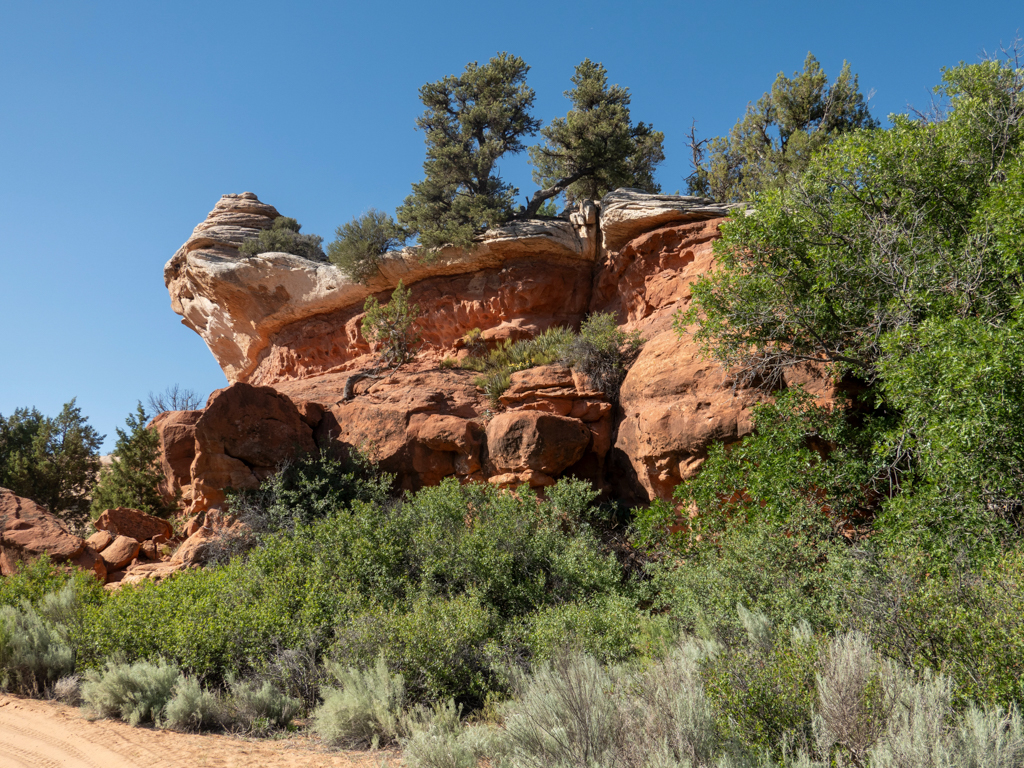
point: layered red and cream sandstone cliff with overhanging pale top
(287, 333)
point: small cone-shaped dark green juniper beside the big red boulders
(134, 480)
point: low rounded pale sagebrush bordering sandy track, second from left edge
(136, 693)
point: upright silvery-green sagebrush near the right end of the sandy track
(364, 709)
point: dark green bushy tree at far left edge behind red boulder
(52, 461)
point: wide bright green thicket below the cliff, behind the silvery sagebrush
(436, 583)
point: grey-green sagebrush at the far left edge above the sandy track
(35, 653)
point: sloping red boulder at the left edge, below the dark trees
(28, 531)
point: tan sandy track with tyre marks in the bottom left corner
(53, 736)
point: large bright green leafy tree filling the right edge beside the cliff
(895, 260)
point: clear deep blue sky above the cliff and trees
(122, 124)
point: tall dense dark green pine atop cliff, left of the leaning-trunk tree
(472, 121)
